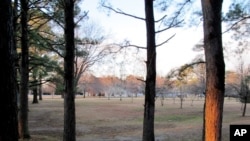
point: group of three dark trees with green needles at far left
(39, 53)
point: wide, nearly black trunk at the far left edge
(8, 103)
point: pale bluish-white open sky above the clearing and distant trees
(176, 52)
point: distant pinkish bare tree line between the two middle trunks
(110, 86)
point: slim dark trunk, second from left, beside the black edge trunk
(23, 114)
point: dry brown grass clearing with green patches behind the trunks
(100, 119)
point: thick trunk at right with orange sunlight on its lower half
(215, 69)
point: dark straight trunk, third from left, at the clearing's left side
(69, 101)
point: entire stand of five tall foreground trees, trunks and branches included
(33, 53)
